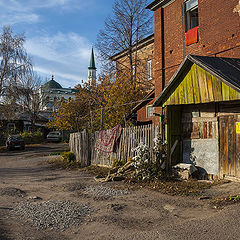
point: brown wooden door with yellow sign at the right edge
(229, 145)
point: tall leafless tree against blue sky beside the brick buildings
(130, 23)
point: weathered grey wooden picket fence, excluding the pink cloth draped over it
(83, 145)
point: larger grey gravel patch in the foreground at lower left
(57, 215)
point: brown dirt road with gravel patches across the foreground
(37, 202)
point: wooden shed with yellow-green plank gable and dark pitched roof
(202, 108)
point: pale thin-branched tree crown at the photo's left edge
(14, 61)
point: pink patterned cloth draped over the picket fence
(107, 138)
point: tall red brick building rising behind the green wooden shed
(199, 27)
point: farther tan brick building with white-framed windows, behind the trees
(143, 54)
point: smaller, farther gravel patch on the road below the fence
(102, 191)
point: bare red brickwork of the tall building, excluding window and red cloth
(219, 30)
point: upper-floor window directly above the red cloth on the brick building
(191, 14)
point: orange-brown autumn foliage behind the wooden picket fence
(112, 98)
